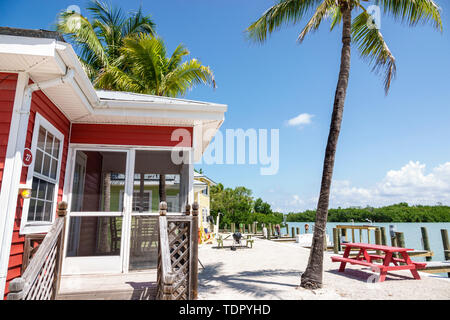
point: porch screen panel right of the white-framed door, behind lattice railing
(155, 176)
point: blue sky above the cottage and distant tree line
(392, 148)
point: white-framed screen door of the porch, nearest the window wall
(95, 233)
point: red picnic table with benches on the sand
(365, 259)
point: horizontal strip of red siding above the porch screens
(128, 135)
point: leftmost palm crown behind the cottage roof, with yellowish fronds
(99, 40)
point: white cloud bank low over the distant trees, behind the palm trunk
(411, 183)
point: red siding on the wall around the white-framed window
(41, 104)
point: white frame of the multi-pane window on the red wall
(44, 226)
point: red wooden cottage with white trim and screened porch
(107, 154)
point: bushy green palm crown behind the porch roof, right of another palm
(150, 71)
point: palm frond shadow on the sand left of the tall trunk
(248, 282)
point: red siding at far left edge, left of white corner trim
(8, 83)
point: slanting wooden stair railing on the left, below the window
(40, 280)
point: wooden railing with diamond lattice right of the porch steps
(178, 254)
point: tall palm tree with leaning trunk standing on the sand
(364, 33)
